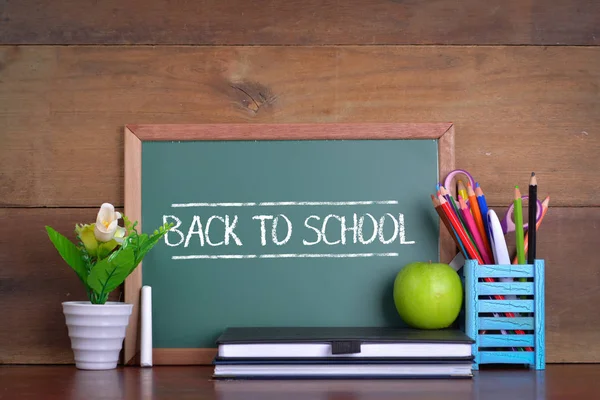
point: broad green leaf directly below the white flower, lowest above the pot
(109, 273)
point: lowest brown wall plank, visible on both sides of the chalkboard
(34, 280)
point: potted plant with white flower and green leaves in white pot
(104, 255)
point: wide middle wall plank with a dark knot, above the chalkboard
(514, 109)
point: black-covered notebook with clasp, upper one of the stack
(342, 342)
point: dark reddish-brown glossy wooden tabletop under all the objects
(66, 382)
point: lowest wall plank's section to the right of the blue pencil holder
(568, 242)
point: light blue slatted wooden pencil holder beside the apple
(484, 315)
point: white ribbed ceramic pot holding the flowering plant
(97, 332)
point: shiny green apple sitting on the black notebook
(428, 295)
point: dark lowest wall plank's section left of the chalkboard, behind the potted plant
(34, 280)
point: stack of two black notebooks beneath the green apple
(337, 352)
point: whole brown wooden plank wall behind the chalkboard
(519, 78)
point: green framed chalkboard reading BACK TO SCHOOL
(286, 225)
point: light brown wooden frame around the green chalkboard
(135, 135)
